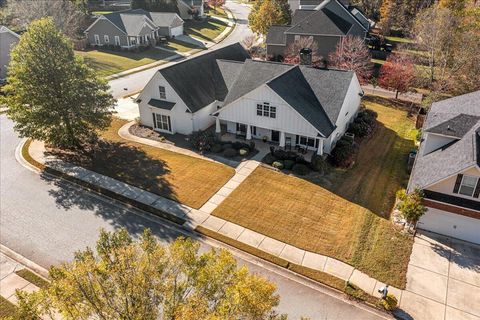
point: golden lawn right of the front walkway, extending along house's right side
(343, 215)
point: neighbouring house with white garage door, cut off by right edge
(447, 168)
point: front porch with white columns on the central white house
(266, 138)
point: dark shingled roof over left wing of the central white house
(199, 81)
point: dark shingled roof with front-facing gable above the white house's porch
(316, 94)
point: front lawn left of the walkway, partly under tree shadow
(188, 180)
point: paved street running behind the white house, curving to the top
(135, 82)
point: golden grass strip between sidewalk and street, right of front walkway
(329, 280)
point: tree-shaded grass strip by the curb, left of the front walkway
(98, 189)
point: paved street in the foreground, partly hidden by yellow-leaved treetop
(47, 220)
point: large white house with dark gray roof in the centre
(281, 103)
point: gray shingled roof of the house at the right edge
(459, 155)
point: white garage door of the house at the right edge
(452, 225)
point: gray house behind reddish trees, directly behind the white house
(327, 22)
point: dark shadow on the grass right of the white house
(379, 171)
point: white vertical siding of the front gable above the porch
(244, 110)
